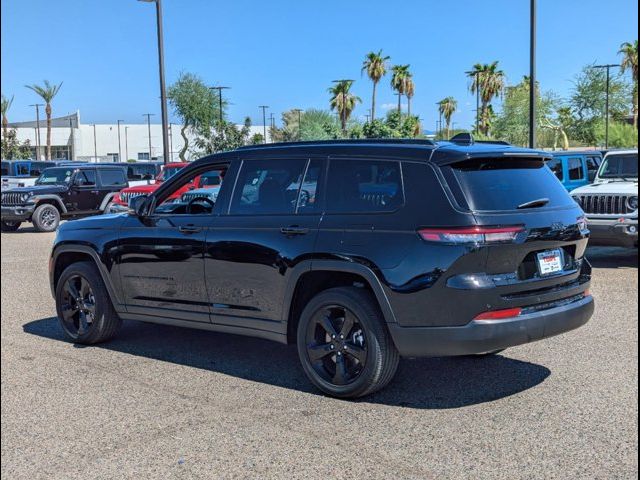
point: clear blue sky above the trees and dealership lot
(284, 53)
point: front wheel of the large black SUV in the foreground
(93, 318)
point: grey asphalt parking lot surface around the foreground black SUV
(162, 402)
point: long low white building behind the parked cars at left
(72, 140)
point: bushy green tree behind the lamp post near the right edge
(588, 99)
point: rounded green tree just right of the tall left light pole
(195, 104)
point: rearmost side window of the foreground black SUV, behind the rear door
(359, 186)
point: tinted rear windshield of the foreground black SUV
(506, 183)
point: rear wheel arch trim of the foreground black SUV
(314, 276)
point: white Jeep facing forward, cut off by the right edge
(611, 202)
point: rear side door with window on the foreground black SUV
(270, 225)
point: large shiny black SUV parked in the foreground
(357, 251)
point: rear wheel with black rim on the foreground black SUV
(367, 357)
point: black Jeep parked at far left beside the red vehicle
(62, 192)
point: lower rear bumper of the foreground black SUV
(487, 336)
